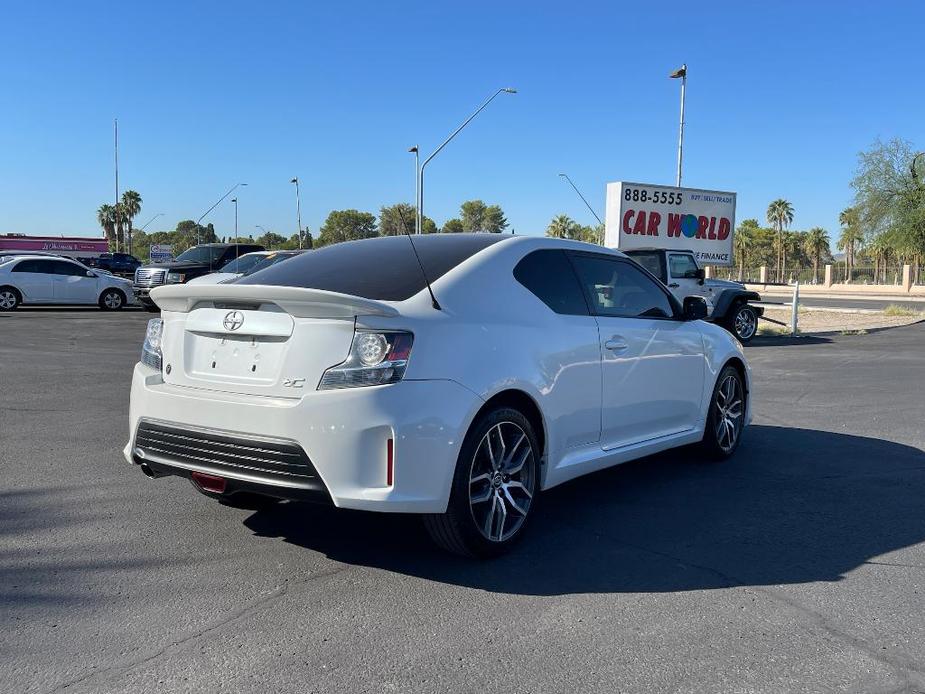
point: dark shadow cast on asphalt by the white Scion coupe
(793, 506)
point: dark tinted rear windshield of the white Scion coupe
(383, 268)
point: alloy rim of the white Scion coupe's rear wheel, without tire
(501, 481)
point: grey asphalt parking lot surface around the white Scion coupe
(797, 566)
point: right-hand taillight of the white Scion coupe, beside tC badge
(375, 359)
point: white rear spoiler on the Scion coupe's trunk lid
(298, 301)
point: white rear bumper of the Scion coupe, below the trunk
(344, 434)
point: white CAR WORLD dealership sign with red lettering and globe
(640, 215)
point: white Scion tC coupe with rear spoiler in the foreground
(338, 376)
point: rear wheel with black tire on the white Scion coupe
(494, 493)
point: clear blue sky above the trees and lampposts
(781, 97)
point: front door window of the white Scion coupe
(619, 288)
